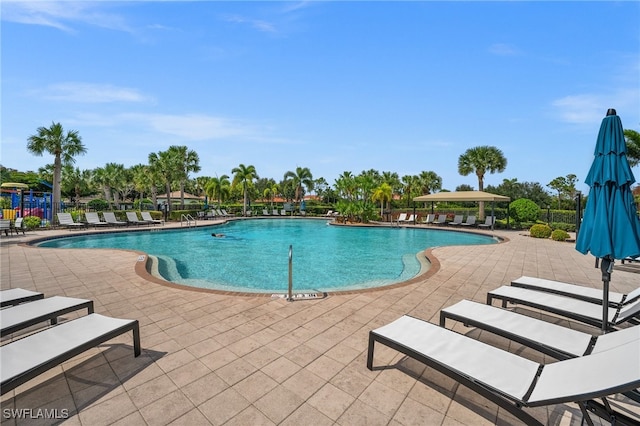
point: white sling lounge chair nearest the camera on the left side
(26, 358)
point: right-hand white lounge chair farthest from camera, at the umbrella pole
(578, 310)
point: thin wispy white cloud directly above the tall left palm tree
(91, 93)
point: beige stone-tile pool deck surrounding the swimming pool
(224, 359)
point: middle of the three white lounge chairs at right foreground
(549, 338)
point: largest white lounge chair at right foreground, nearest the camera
(505, 378)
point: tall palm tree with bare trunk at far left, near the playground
(63, 146)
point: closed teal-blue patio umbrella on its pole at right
(610, 228)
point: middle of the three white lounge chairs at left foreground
(25, 315)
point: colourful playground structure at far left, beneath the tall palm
(26, 203)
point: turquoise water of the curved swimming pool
(253, 255)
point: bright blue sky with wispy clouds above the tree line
(333, 86)
